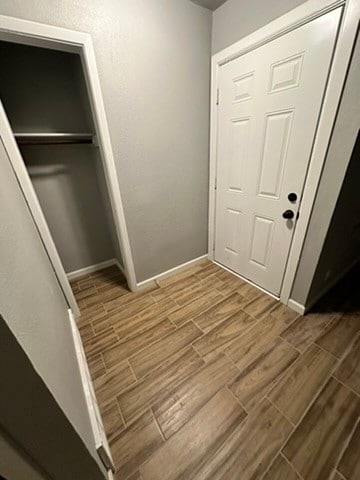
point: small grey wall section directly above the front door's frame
(238, 18)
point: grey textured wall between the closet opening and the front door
(153, 61)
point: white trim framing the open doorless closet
(31, 33)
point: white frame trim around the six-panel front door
(284, 24)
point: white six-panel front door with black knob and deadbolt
(269, 105)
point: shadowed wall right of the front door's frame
(333, 236)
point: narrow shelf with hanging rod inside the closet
(54, 138)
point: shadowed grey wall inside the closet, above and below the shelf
(44, 91)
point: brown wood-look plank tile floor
(205, 377)
